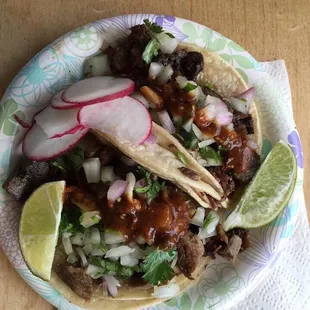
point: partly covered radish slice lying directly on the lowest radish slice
(57, 123)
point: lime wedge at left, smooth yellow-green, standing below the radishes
(38, 228)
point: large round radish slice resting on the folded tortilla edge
(126, 118)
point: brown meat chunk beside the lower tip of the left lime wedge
(77, 279)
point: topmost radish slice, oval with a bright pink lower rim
(97, 89)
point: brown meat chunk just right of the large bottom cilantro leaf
(190, 251)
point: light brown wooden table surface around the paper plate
(267, 29)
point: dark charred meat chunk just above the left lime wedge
(28, 178)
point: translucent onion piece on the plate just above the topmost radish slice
(97, 65)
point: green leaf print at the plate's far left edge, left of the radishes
(8, 124)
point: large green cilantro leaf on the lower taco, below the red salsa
(156, 268)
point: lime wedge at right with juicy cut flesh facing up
(269, 192)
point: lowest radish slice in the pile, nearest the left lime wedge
(36, 145)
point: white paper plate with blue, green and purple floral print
(60, 64)
